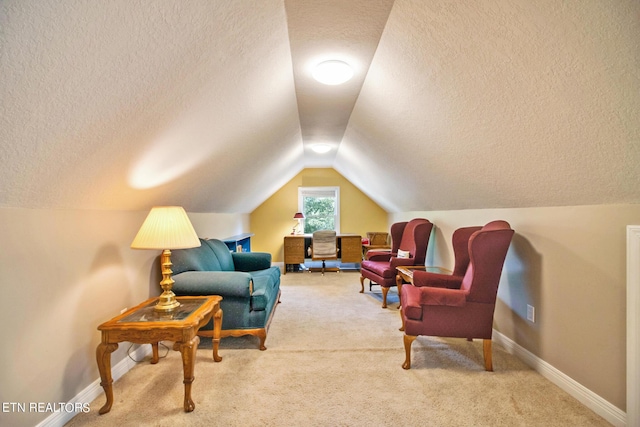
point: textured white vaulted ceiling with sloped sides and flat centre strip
(209, 104)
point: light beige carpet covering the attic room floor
(334, 358)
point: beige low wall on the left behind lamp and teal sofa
(63, 273)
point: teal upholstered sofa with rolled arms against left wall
(247, 282)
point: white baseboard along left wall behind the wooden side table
(90, 393)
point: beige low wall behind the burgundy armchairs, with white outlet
(570, 263)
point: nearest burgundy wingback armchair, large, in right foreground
(430, 308)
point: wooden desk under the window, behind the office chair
(295, 248)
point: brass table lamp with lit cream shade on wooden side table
(166, 228)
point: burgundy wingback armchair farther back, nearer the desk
(380, 267)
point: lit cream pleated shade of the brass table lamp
(166, 227)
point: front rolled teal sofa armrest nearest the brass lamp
(223, 283)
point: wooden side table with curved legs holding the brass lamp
(143, 325)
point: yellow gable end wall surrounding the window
(273, 219)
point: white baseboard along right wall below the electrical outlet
(597, 404)
